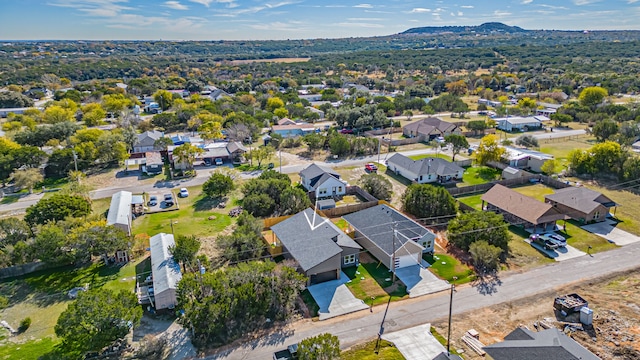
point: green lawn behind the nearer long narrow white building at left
(191, 219)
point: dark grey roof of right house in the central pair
(376, 223)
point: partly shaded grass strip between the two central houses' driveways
(370, 280)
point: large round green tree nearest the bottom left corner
(96, 319)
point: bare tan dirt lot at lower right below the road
(615, 333)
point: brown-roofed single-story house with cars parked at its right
(519, 209)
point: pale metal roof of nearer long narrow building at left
(166, 272)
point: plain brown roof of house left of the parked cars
(522, 206)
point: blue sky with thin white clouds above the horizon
(292, 19)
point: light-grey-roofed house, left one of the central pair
(317, 244)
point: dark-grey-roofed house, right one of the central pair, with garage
(390, 235)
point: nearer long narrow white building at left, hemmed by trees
(165, 272)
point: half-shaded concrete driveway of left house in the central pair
(335, 299)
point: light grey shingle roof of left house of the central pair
(311, 239)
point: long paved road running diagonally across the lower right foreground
(361, 326)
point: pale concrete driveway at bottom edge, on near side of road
(416, 343)
